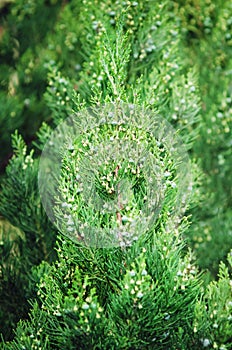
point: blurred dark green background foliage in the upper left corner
(29, 44)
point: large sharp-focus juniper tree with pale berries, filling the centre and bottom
(118, 179)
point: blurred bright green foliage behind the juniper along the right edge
(207, 27)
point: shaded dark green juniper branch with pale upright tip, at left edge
(20, 188)
